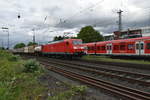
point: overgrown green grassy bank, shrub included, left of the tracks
(19, 80)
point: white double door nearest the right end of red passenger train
(139, 47)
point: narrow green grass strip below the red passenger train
(108, 59)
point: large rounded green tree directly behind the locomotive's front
(89, 34)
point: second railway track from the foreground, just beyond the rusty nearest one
(119, 74)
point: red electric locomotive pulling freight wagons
(67, 47)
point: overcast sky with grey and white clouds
(51, 18)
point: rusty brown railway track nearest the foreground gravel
(128, 93)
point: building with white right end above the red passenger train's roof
(132, 33)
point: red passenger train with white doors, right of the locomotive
(125, 47)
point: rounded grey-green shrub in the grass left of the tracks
(31, 65)
